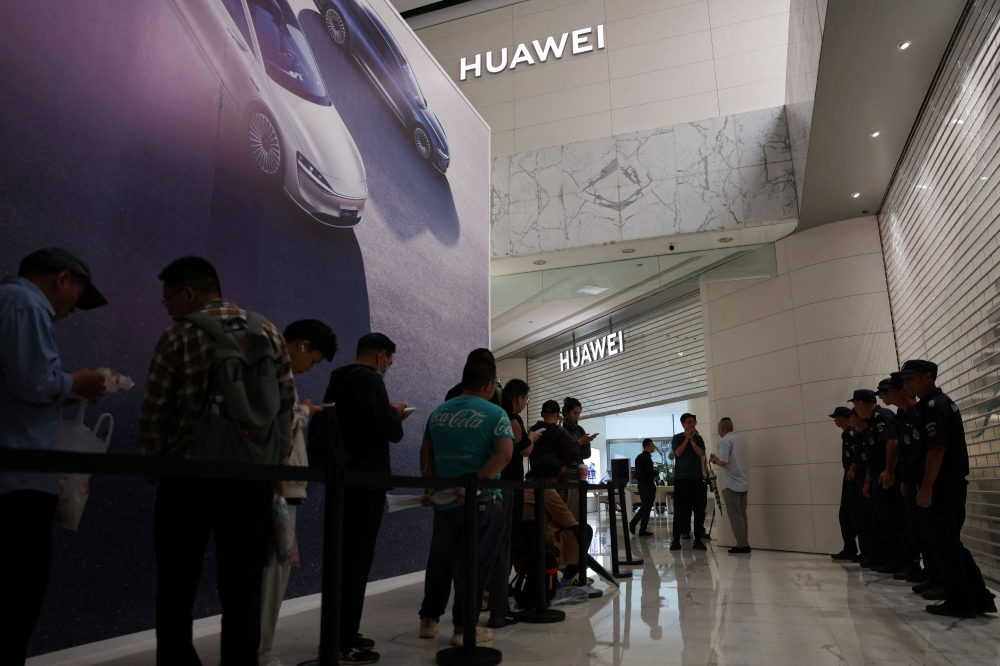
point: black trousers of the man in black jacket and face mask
(363, 513)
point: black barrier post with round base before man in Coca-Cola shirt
(470, 653)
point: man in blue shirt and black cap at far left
(50, 284)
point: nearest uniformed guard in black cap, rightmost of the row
(942, 492)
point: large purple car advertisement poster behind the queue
(313, 151)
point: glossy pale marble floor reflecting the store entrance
(692, 607)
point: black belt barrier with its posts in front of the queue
(336, 477)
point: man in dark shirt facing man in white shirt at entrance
(689, 482)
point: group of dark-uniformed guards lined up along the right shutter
(904, 490)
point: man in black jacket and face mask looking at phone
(368, 423)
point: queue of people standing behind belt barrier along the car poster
(216, 370)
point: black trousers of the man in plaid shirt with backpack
(237, 514)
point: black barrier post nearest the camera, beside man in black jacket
(333, 527)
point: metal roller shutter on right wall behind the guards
(940, 225)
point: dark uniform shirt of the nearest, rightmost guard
(939, 423)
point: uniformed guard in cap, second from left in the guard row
(887, 502)
